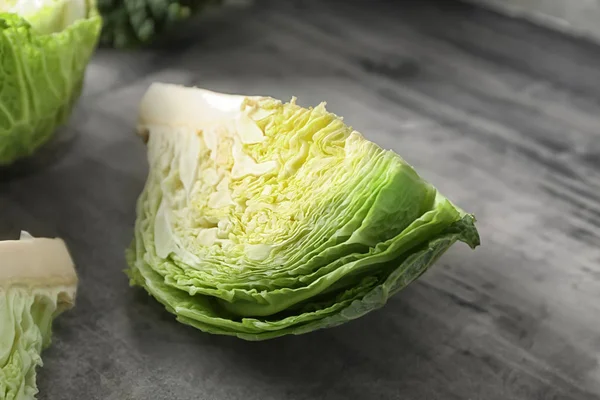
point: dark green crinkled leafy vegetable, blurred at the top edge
(133, 23)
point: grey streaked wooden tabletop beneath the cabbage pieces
(502, 117)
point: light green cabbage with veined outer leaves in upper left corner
(45, 47)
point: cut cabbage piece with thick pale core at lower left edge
(37, 283)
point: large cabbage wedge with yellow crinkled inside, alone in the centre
(261, 218)
